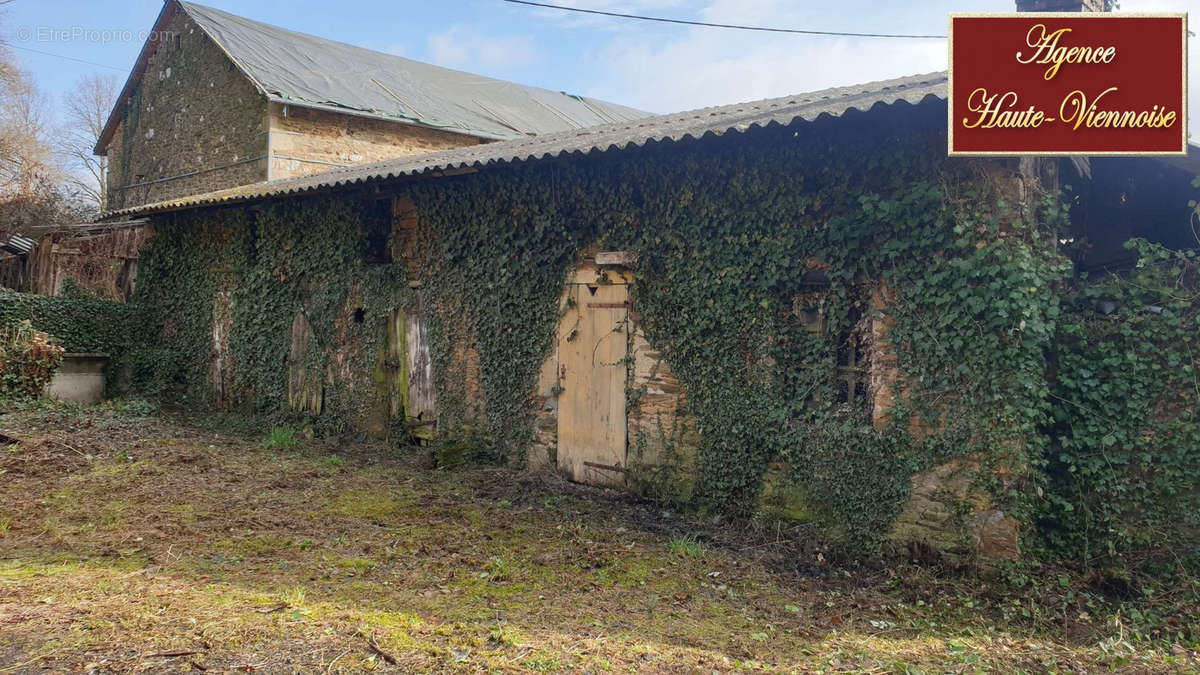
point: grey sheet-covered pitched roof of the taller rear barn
(309, 71)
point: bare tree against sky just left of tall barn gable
(85, 112)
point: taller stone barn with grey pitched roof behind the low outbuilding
(218, 101)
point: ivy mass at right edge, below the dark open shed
(1126, 432)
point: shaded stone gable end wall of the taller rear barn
(194, 124)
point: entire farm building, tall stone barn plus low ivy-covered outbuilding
(796, 308)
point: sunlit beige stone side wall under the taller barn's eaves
(307, 141)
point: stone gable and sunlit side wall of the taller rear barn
(195, 124)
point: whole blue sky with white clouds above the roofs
(652, 67)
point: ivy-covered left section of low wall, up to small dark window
(227, 288)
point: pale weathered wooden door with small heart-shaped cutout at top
(592, 368)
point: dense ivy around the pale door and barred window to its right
(745, 238)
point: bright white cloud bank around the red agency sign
(695, 68)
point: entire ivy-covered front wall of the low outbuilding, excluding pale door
(764, 260)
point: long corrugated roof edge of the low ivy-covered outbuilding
(673, 128)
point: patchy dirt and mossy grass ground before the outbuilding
(165, 545)
